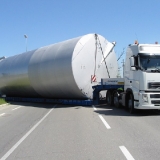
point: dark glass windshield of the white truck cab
(149, 62)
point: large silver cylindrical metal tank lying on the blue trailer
(67, 69)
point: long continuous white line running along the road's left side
(25, 136)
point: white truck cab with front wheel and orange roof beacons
(142, 77)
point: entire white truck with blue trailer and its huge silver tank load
(70, 72)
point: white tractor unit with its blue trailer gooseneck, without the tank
(140, 86)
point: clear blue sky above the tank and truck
(50, 21)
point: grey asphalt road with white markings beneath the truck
(30, 131)
